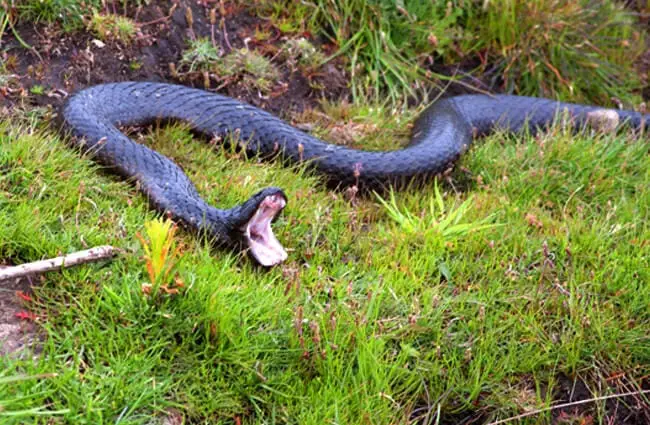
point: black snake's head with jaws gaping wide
(253, 221)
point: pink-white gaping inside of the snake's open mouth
(262, 243)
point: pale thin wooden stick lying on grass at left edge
(73, 259)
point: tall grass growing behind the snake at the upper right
(579, 50)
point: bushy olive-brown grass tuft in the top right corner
(576, 50)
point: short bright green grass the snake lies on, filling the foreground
(369, 320)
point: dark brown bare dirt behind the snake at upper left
(64, 63)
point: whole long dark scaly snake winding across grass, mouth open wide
(439, 136)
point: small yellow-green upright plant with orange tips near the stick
(162, 254)
